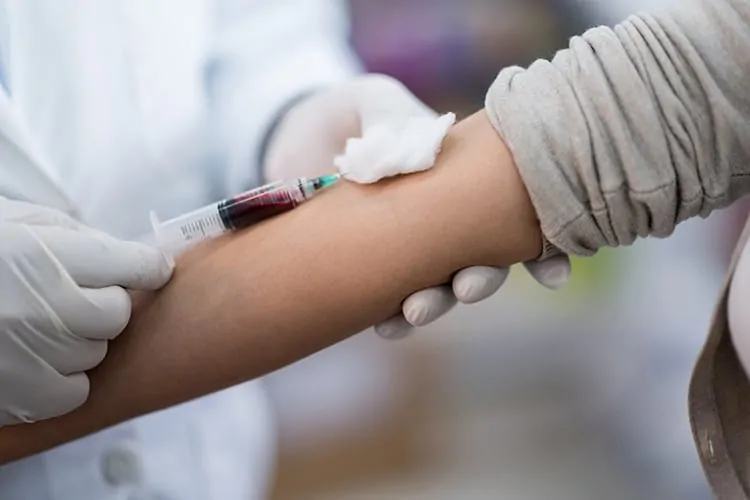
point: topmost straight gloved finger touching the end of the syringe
(95, 260)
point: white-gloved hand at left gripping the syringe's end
(61, 300)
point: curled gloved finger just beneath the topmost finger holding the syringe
(98, 314)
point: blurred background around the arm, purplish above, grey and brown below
(578, 394)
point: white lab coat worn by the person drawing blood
(133, 105)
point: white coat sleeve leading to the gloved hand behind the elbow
(265, 54)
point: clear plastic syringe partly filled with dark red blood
(238, 212)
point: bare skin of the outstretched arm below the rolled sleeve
(241, 307)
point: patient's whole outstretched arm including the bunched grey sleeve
(624, 134)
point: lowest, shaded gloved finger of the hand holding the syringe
(53, 396)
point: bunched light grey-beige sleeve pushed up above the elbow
(632, 130)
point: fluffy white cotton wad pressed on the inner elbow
(394, 148)
